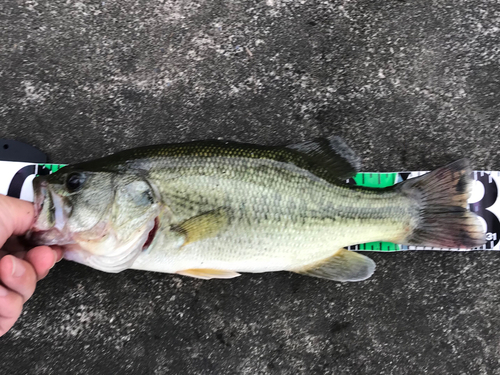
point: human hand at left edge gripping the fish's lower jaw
(19, 269)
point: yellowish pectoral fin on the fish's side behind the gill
(206, 225)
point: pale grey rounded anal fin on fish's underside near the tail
(343, 266)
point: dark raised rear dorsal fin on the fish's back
(329, 157)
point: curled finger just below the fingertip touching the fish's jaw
(18, 276)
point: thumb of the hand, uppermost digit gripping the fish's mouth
(16, 217)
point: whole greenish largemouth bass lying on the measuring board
(215, 209)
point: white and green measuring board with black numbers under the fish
(484, 201)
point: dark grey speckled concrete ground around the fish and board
(410, 85)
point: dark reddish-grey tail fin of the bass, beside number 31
(443, 218)
